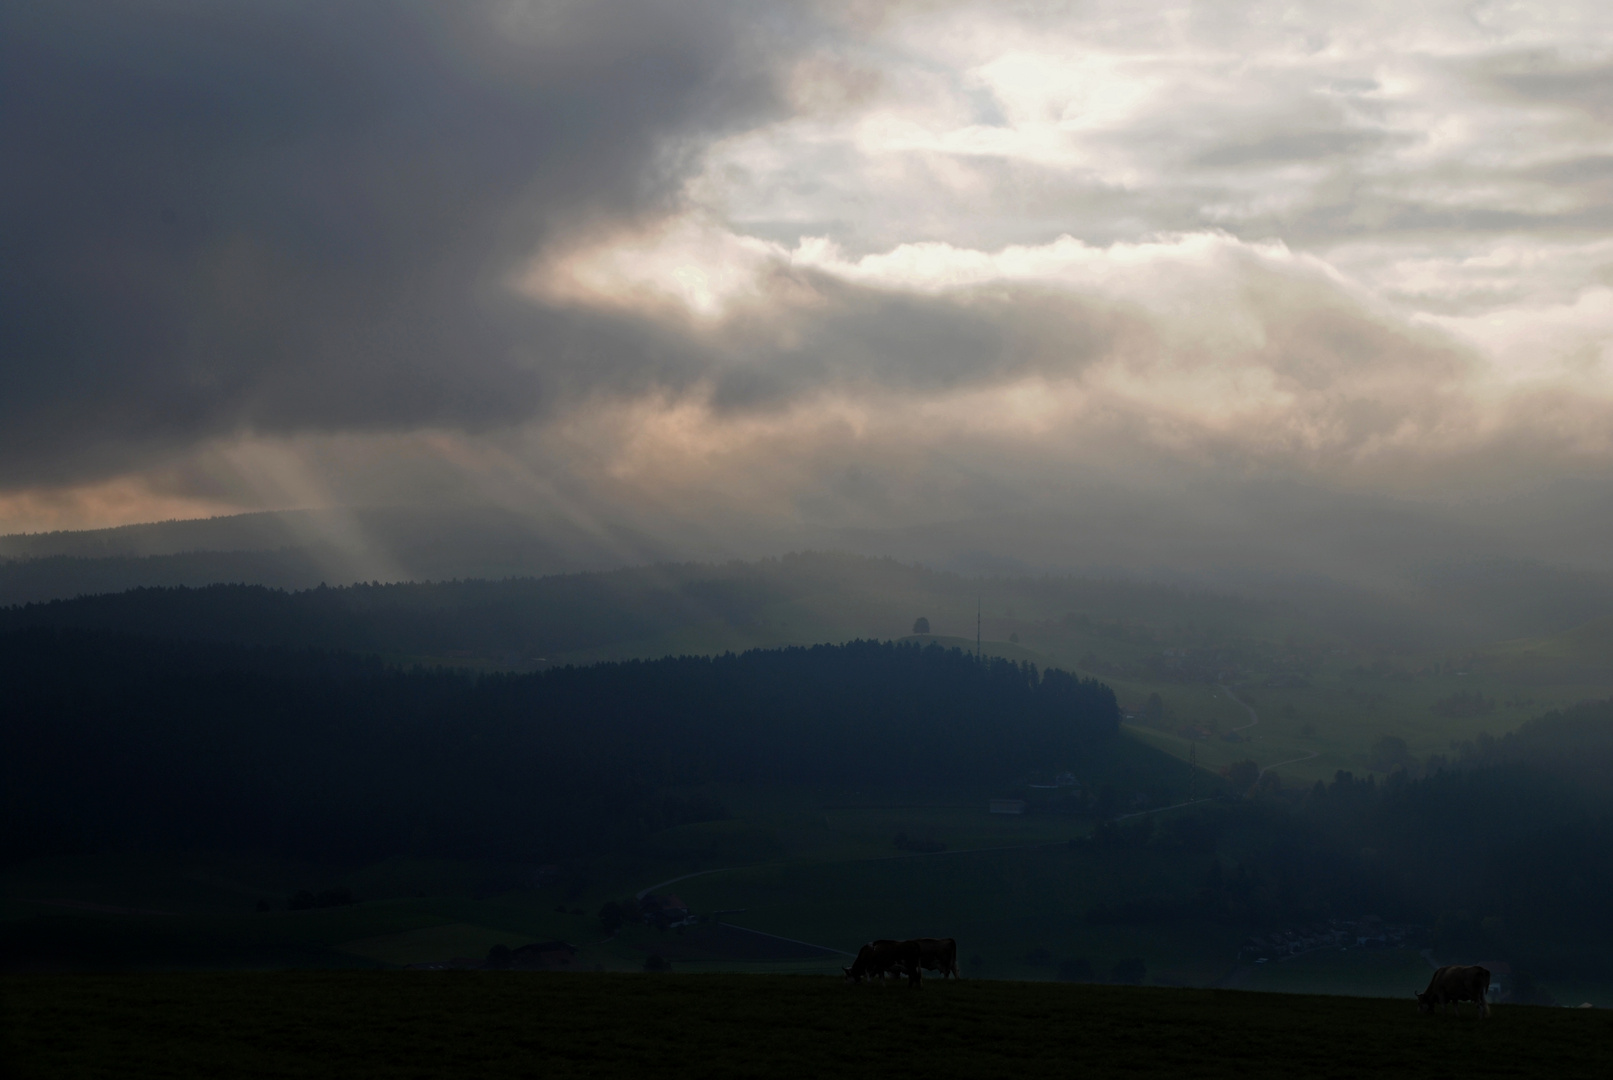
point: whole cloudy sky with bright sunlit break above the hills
(815, 267)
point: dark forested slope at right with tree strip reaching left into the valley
(1506, 850)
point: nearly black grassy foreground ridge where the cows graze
(509, 1024)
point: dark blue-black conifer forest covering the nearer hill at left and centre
(114, 741)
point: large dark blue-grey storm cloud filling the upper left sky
(294, 215)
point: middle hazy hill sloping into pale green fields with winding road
(1215, 662)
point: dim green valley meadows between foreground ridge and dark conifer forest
(804, 865)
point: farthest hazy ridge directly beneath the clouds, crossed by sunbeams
(1449, 597)
